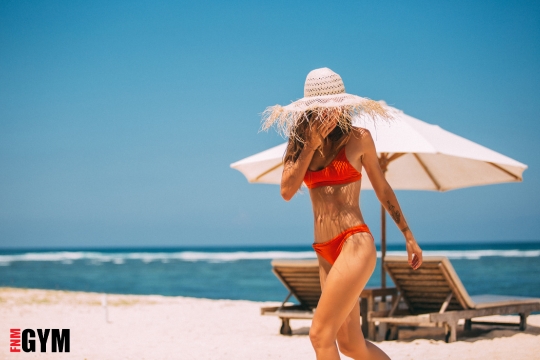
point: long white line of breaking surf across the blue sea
(68, 257)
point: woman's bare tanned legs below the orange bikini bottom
(338, 313)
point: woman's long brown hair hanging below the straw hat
(305, 124)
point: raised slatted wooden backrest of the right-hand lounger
(425, 290)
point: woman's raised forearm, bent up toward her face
(293, 173)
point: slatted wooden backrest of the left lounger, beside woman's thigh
(301, 277)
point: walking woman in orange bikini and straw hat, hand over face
(327, 153)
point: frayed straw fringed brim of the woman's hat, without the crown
(285, 119)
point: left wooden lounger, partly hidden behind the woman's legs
(301, 278)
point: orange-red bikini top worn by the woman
(339, 171)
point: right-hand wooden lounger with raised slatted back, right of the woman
(435, 296)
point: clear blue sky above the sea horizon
(119, 119)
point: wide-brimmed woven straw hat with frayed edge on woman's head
(323, 90)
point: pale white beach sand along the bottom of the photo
(158, 327)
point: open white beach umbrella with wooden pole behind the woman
(414, 156)
